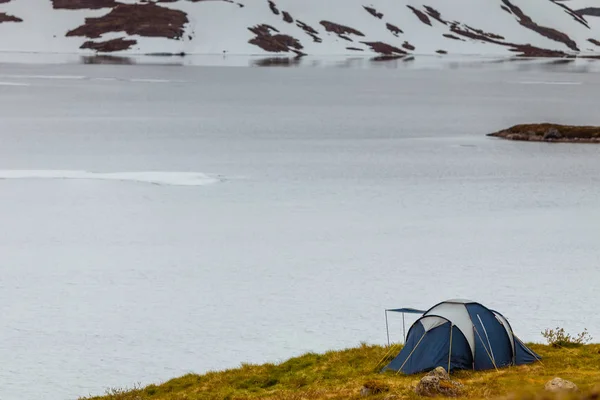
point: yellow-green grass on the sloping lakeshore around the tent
(341, 374)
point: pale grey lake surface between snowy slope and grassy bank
(341, 192)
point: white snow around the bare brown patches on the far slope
(219, 27)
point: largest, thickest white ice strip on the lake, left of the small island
(153, 177)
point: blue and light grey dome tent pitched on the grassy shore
(460, 334)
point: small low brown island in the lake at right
(550, 133)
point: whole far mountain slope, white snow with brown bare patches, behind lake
(317, 27)
